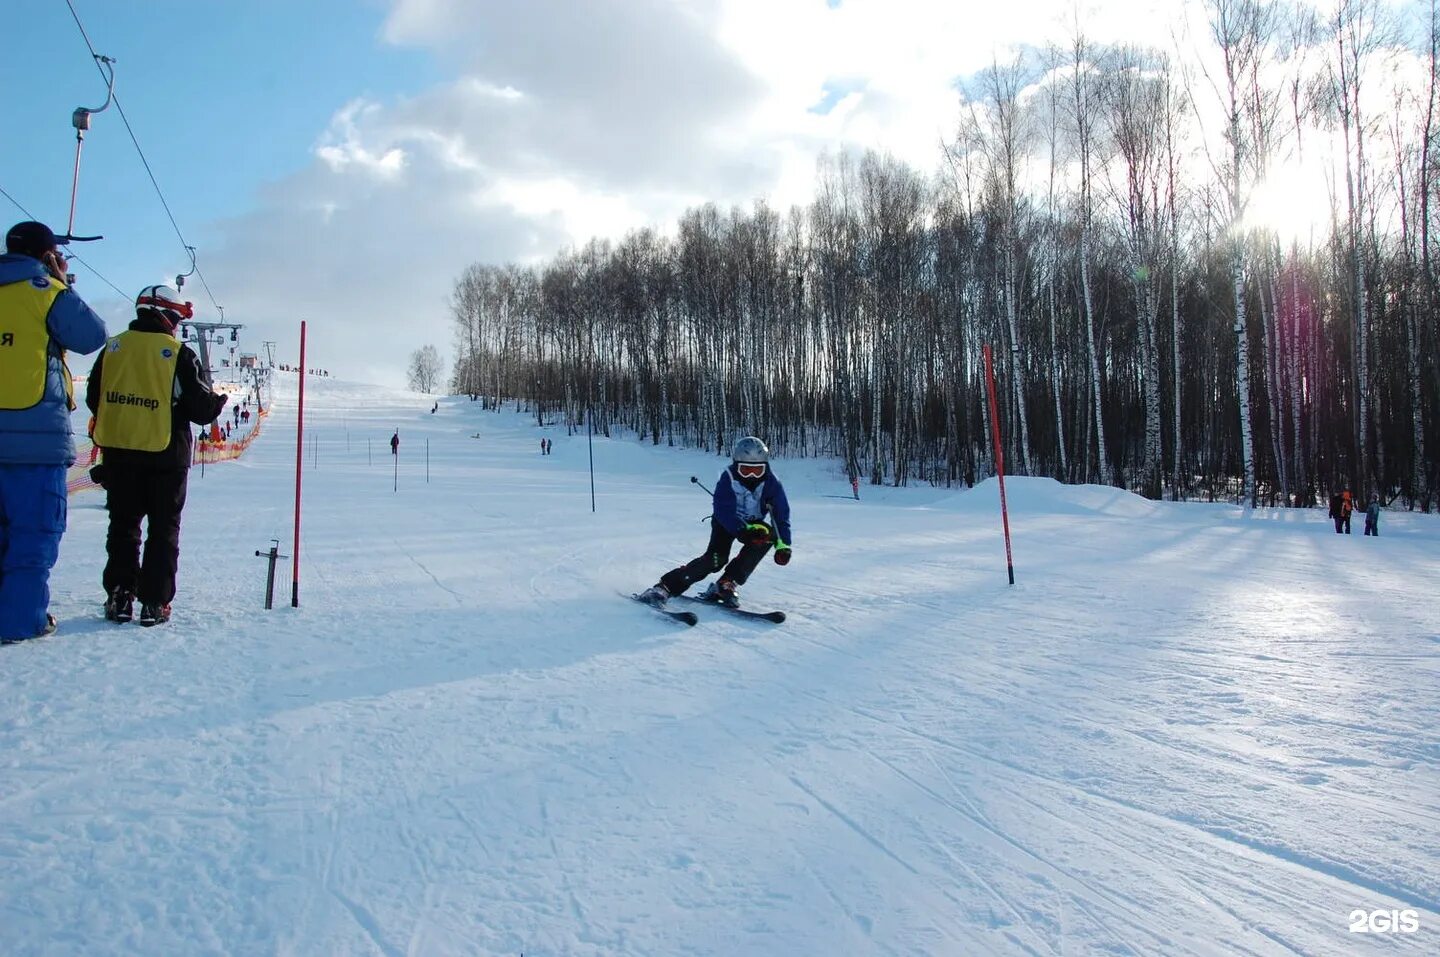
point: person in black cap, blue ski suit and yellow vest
(41, 319)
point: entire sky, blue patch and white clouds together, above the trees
(345, 160)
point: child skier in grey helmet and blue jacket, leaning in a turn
(747, 494)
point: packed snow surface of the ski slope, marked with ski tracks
(1186, 730)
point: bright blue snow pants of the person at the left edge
(32, 519)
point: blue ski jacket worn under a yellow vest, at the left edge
(41, 435)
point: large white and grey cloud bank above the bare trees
(568, 120)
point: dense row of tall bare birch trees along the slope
(1086, 225)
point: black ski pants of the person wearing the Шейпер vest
(140, 494)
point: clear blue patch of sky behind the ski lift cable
(222, 97)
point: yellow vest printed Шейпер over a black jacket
(136, 392)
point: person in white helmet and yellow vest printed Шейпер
(146, 389)
